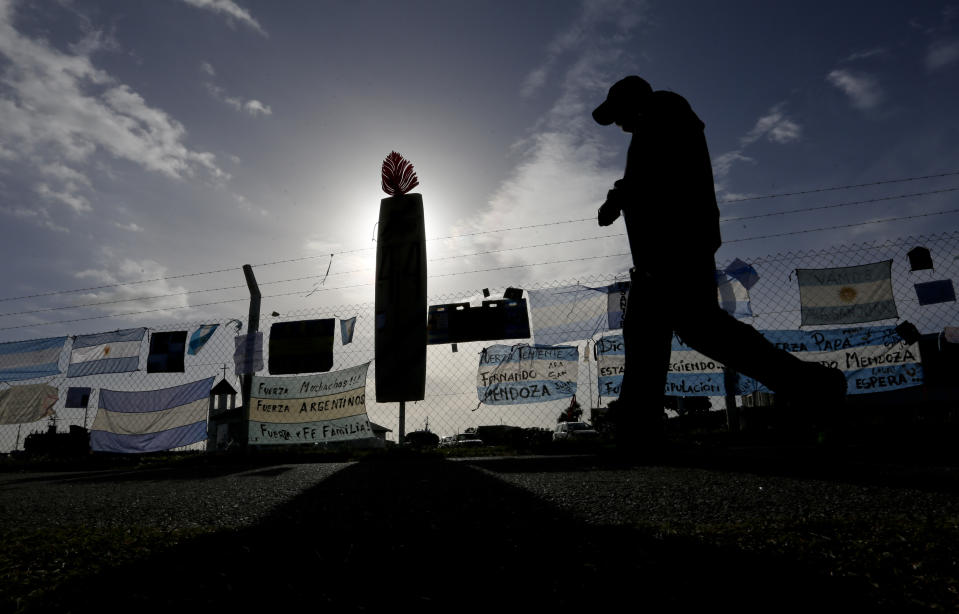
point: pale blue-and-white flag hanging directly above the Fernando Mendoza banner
(567, 313)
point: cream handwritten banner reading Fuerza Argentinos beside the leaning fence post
(307, 409)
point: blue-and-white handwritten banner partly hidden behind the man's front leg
(690, 373)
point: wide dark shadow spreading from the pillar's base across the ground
(442, 536)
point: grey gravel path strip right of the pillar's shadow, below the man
(691, 496)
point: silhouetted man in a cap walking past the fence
(668, 203)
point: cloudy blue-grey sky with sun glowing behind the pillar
(154, 139)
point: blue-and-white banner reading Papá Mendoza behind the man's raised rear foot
(873, 358)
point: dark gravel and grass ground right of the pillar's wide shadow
(888, 531)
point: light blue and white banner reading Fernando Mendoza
(514, 374)
